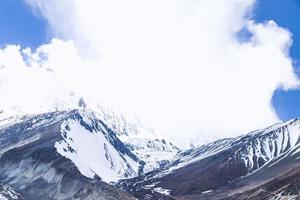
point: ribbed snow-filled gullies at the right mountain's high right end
(263, 146)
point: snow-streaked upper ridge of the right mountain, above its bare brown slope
(254, 149)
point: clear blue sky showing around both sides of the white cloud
(19, 26)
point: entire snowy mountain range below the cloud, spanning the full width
(86, 153)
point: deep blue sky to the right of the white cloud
(287, 14)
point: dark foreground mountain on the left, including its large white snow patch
(64, 155)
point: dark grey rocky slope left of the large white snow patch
(30, 164)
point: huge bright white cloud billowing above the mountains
(175, 63)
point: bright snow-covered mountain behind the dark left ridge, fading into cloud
(129, 130)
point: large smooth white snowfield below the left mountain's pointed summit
(95, 149)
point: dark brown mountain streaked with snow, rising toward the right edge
(263, 164)
